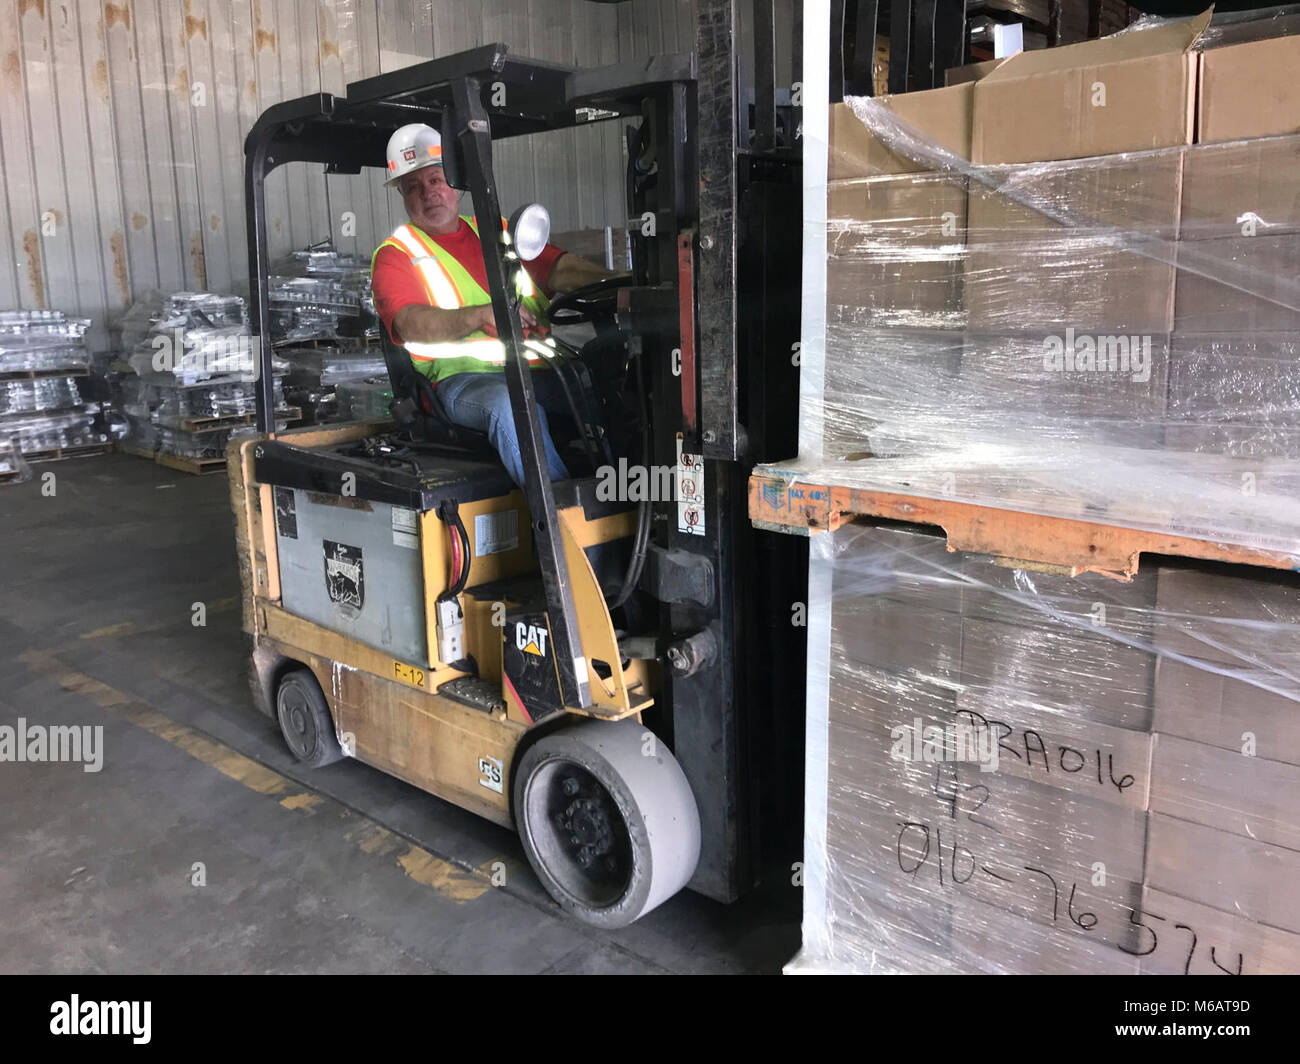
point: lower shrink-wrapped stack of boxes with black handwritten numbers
(1113, 827)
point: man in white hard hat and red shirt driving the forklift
(431, 292)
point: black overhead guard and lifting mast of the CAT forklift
(714, 218)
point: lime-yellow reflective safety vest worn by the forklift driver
(449, 286)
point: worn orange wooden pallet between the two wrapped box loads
(1033, 539)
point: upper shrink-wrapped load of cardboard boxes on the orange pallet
(1069, 287)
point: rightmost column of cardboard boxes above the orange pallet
(1238, 322)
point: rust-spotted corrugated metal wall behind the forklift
(123, 126)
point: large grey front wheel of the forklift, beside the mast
(608, 820)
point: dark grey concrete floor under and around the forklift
(343, 870)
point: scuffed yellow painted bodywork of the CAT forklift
(388, 711)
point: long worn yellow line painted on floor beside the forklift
(447, 879)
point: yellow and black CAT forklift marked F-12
(584, 671)
